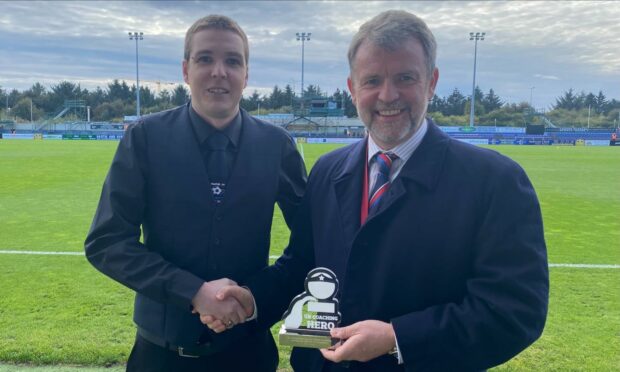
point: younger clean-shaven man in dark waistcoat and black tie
(199, 182)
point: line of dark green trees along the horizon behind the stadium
(117, 99)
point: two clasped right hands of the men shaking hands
(222, 304)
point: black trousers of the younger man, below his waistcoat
(148, 357)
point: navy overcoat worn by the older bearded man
(455, 257)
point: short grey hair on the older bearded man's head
(390, 29)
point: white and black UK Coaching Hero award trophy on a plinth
(313, 313)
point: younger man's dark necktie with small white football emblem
(217, 164)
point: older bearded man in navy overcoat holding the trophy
(438, 245)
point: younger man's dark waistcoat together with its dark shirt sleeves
(158, 181)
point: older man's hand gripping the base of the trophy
(361, 341)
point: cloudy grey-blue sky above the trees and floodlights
(549, 45)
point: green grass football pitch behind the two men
(59, 311)
